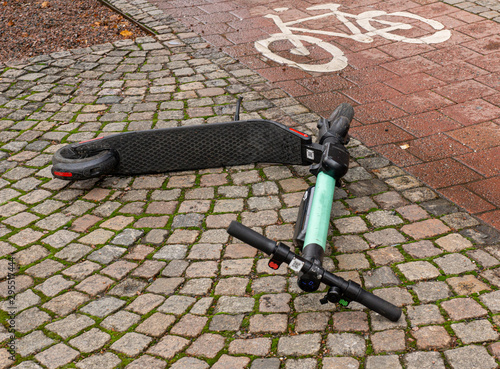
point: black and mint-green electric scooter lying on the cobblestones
(239, 143)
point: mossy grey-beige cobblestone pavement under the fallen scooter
(139, 272)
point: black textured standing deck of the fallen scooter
(198, 147)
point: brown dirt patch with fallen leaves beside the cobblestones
(36, 27)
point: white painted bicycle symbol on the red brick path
(365, 20)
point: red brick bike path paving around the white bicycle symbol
(443, 100)
